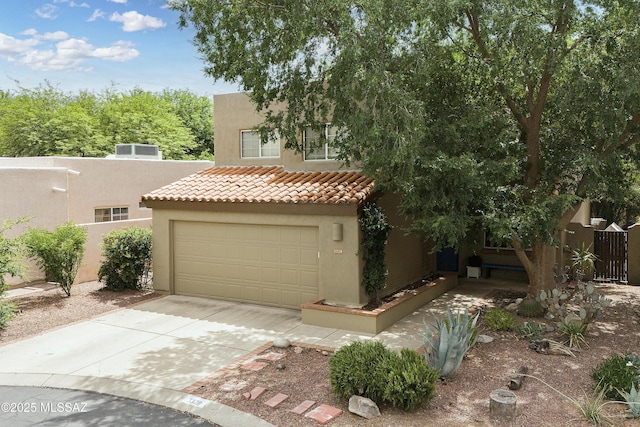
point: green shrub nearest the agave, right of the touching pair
(410, 382)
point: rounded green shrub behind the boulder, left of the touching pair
(359, 368)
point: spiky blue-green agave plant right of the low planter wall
(445, 348)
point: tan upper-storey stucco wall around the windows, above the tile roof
(234, 112)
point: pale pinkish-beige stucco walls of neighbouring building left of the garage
(81, 185)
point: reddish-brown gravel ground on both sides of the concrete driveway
(564, 382)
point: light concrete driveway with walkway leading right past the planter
(153, 351)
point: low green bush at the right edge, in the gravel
(615, 374)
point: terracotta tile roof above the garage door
(271, 184)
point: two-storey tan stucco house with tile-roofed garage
(271, 226)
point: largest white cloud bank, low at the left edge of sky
(67, 54)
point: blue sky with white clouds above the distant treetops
(98, 44)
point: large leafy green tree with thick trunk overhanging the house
(503, 115)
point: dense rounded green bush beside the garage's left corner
(127, 259)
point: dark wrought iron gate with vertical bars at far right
(611, 249)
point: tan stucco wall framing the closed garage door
(339, 262)
